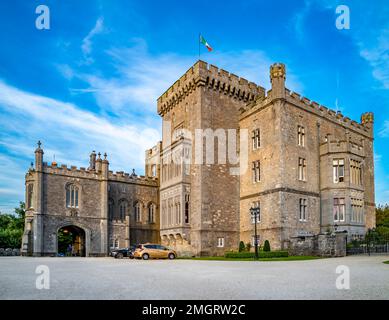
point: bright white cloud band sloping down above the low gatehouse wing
(66, 131)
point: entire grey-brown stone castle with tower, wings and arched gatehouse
(308, 169)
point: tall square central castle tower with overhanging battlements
(199, 197)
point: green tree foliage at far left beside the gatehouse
(12, 227)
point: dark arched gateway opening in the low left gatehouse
(71, 241)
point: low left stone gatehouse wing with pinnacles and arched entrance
(104, 210)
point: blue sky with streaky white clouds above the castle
(92, 80)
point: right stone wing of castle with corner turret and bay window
(316, 168)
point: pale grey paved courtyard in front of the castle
(108, 278)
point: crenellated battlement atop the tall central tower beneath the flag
(210, 76)
